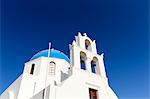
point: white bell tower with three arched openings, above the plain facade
(84, 56)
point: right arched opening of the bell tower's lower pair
(95, 65)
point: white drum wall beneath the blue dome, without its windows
(33, 84)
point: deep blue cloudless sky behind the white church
(120, 28)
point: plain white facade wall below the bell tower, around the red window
(77, 86)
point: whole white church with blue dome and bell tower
(50, 74)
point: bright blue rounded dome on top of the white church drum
(53, 53)
